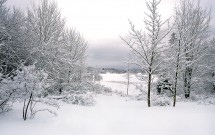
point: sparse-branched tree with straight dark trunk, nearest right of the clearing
(148, 47)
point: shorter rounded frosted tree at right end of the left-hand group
(72, 56)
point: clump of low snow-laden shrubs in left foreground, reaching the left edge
(27, 86)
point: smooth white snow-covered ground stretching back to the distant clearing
(114, 115)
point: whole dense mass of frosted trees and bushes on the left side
(39, 57)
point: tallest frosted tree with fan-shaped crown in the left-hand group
(45, 30)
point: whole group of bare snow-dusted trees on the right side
(179, 51)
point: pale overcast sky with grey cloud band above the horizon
(102, 22)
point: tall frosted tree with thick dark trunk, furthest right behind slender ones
(192, 30)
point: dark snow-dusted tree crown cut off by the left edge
(12, 30)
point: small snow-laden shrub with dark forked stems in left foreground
(31, 86)
